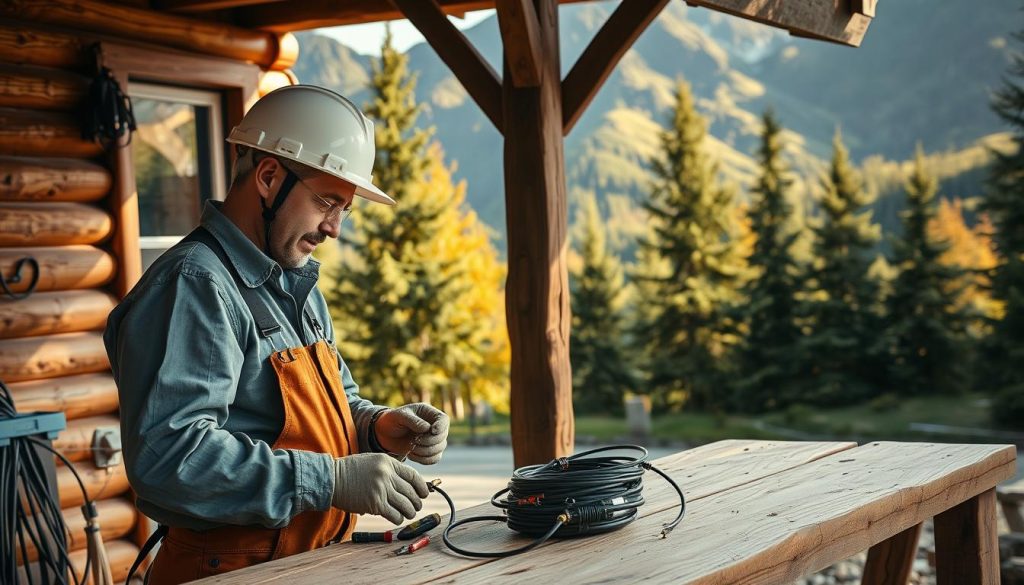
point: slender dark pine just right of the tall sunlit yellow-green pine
(767, 355)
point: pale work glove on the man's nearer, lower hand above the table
(376, 484)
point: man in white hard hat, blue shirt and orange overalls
(243, 431)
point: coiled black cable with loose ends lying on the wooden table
(569, 497)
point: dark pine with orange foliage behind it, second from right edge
(924, 335)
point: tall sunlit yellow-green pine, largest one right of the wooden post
(692, 220)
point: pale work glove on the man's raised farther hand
(417, 431)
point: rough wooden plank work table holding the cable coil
(757, 512)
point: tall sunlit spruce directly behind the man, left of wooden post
(390, 301)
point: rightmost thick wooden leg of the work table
(967, 549)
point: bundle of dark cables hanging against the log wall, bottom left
(30, 515)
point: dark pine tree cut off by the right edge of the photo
(1005, 205)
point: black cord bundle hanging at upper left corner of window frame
(108, 114)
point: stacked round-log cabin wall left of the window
(55, 210)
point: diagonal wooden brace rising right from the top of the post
(604, 54)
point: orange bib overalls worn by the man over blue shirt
(317, 419)
